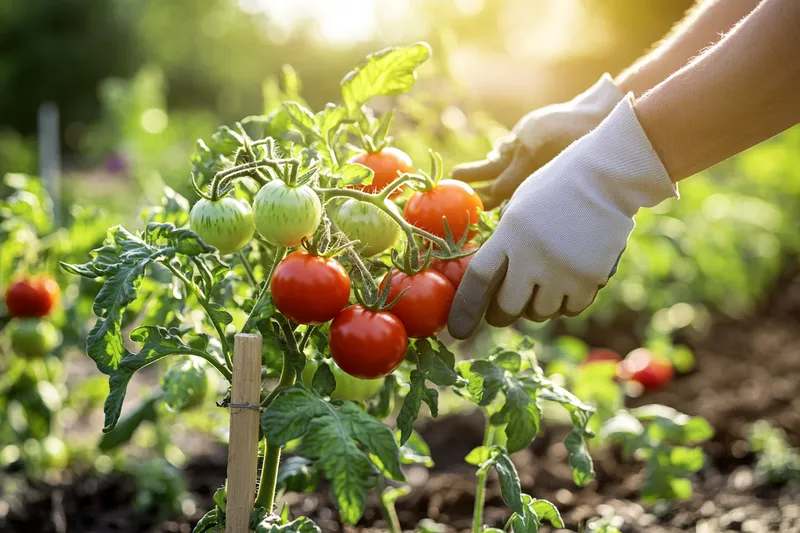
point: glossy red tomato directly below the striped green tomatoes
(309, 289)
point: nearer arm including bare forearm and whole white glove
(566, 226)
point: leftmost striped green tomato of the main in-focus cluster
(226, 224)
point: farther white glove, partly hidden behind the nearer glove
(536, 139)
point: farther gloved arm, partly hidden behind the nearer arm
(544, 133)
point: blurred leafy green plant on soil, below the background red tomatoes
(666, 440)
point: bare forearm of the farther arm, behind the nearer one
(701, 28)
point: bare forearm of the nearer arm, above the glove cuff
(735, 95)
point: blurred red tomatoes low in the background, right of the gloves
(650, 370)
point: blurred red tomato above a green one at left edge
(29, 300)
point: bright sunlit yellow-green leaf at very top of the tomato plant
(390, 71)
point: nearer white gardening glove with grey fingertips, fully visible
(564, 229)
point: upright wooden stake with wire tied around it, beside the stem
(243, 441)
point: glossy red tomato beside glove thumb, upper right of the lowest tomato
(424, 307)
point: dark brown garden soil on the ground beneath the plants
(747, 370)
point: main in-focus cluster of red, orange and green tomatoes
(366, 341)
